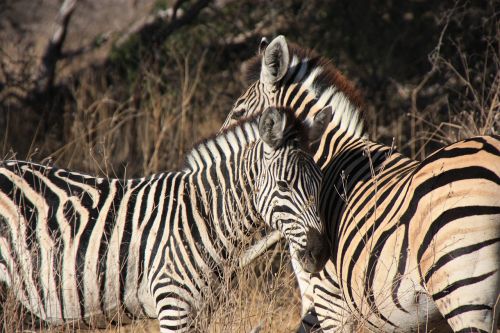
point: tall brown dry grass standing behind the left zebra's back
(148, 132)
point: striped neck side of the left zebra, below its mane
(221, 195)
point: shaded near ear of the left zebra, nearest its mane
(272, 124)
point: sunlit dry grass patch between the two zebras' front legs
(265, 295)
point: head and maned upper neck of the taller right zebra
(287, 75)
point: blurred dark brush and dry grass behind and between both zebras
(124, 87)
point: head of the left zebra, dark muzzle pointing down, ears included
(288, 184)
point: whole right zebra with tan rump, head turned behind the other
(414, 244)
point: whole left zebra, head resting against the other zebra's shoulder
(78, 248)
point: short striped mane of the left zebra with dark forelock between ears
(242, 133)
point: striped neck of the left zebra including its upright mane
(221, 172)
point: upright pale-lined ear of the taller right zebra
(275, 61)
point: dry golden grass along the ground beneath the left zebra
(263, 294)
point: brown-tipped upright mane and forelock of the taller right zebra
(323, 78)
